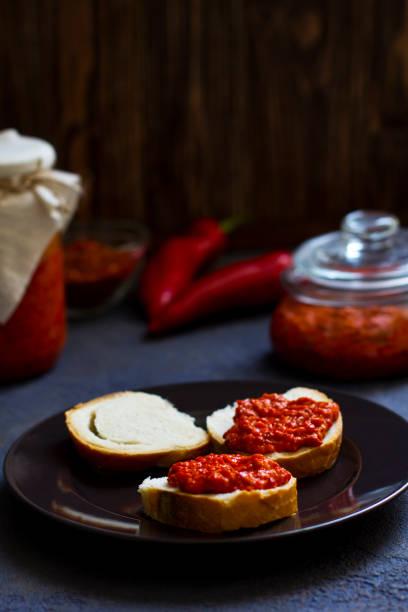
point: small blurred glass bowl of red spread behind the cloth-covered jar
(102, 260)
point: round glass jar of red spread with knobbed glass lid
(345, 313)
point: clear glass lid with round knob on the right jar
(366, 262)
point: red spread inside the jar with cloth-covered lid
(33, 337)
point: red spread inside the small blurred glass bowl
(94, 270)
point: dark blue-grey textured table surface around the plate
(361, 564)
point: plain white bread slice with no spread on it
(133, 431)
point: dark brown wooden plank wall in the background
(289, 112)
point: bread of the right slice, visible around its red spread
(307, 460)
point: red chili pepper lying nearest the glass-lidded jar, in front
(250, 282)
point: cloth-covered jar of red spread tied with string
(36, 204)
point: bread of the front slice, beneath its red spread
(217, 512)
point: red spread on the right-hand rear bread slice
(272, 423)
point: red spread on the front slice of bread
(226, 473)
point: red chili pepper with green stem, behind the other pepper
(171, 268)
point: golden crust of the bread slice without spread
(122, 459)
